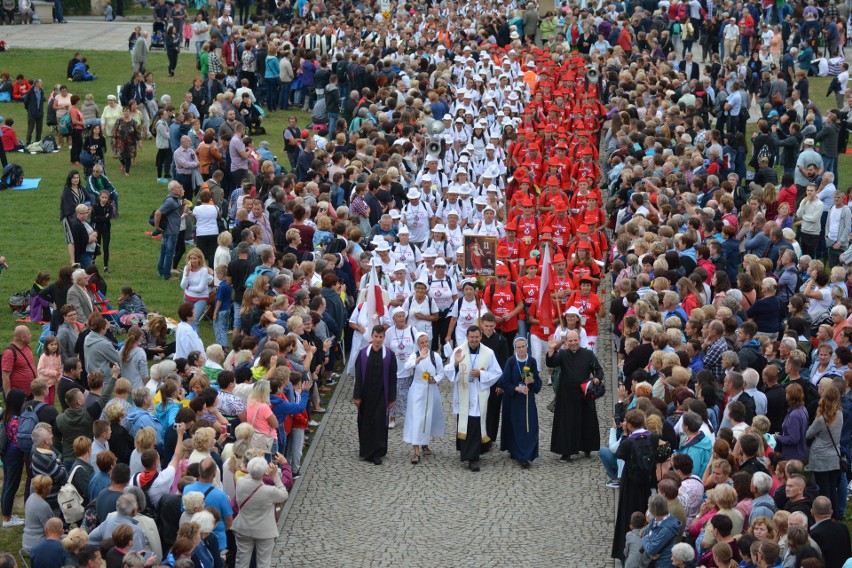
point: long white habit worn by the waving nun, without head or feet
(424, 412)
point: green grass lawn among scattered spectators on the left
(31, 237)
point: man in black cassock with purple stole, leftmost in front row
(375, 395)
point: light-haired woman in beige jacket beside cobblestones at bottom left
(255, 526)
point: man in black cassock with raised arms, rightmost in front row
(575, 418)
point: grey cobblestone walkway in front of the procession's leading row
(350, 513)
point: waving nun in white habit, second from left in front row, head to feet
(424, 408)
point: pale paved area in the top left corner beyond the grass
(76, 34)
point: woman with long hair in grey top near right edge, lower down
(824, 436)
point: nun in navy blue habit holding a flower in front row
(520, 383)
